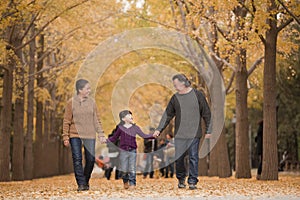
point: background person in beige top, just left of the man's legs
(169, 154)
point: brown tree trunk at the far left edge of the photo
(6, 121)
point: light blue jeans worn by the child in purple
(128, 166)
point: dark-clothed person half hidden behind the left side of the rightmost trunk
(259, 147)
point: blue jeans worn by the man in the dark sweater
(190, 146)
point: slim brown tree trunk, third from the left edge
(29, 158)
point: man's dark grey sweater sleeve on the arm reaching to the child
(168, 115)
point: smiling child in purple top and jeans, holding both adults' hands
(127, 133)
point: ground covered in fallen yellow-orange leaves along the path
(64, 187)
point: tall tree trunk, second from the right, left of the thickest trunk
(242, 165)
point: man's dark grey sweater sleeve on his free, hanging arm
(205, 112)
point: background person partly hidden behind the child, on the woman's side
(113, 154)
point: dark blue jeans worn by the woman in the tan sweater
(83, 175)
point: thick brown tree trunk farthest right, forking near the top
(270, 158)
